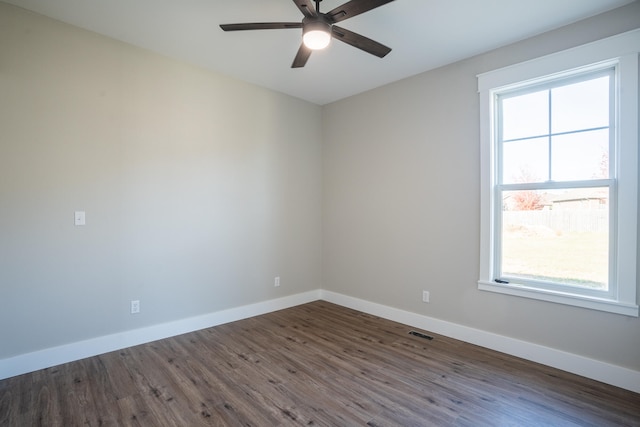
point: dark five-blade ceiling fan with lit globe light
(318, 28)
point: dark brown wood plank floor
(317, 364)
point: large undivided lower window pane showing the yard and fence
(560, 236)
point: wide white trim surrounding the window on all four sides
(622, 49)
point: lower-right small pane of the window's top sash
(580, 156)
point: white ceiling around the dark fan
(424, 34)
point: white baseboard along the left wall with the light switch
(49, 357)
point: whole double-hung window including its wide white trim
(559, 177)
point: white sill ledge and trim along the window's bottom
(610, 306)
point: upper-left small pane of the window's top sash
(525, 115)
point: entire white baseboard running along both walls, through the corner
(600, 371)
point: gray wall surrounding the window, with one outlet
(401, 204)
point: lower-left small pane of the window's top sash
(525, 161)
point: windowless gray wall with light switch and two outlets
(198, 189)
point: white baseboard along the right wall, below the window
(579, 365)
